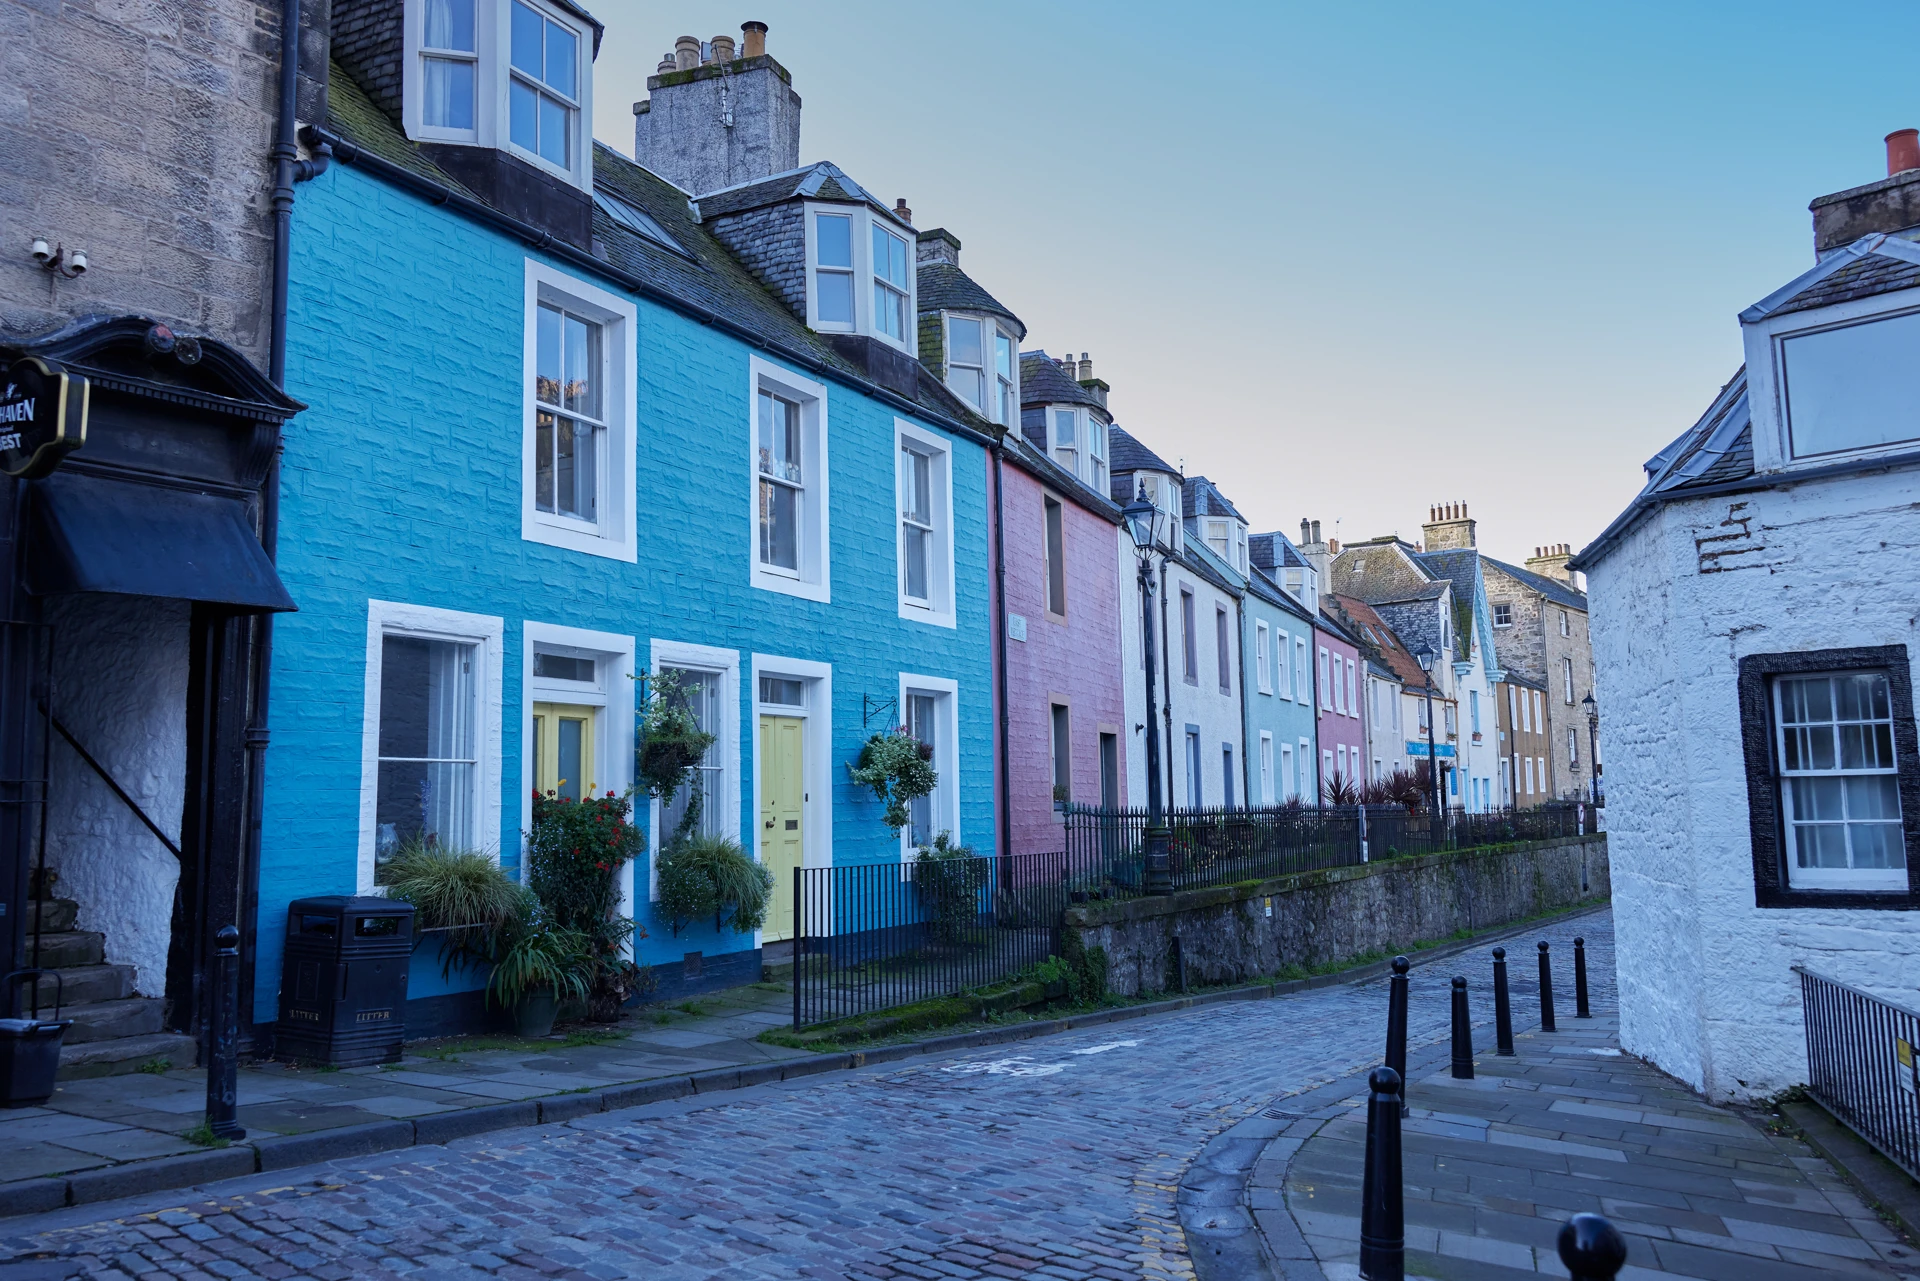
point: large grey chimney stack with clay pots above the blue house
(719, 122)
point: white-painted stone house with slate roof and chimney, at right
(1754, 629)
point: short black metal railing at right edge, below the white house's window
(1863, 1065)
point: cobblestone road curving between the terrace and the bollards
(1053, 1159)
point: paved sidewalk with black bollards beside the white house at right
(1497, 1165)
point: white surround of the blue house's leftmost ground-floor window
(487, 633)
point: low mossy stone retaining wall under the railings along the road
(1241, 932)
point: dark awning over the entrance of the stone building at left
(95, 535)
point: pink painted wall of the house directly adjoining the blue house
(1074, 662)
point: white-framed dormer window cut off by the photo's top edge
(516, 76)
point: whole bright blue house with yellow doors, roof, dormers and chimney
(571, 423)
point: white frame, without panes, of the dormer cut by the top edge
(492, 78)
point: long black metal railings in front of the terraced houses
(888, 934)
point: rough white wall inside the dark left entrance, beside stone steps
(120, 687)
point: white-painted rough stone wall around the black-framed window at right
(1706, 977)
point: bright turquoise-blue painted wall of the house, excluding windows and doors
(402, 483)
